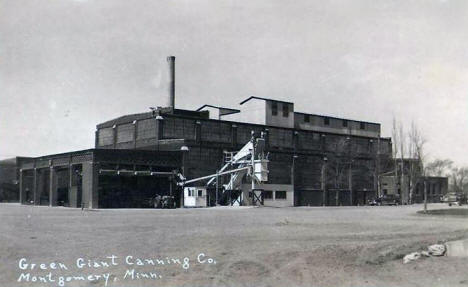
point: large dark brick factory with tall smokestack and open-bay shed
(314, 160)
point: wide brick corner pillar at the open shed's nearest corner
(90, 185)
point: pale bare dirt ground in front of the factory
(301, 246)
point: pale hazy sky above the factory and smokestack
(66, 66)
